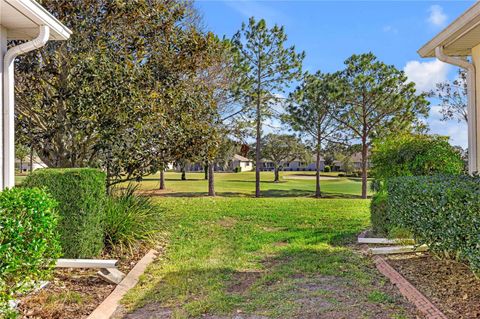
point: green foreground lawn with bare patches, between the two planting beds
(268, 257)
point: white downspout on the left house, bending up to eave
(9, 103)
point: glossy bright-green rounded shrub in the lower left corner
(29, 243)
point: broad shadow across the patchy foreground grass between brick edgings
(319, 282)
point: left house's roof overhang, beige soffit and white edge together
(22, 18)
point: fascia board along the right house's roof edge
(464, 23)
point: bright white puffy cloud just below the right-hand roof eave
(426, 74)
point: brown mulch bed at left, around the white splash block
(75, 293)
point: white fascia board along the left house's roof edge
(41, 16)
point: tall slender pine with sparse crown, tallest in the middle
(266, 67)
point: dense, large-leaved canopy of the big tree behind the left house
(124, 93)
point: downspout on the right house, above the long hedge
(471, 107)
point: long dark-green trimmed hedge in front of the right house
(442, 211)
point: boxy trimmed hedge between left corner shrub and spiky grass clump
(81, 195)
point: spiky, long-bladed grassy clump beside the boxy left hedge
(129, 219)
